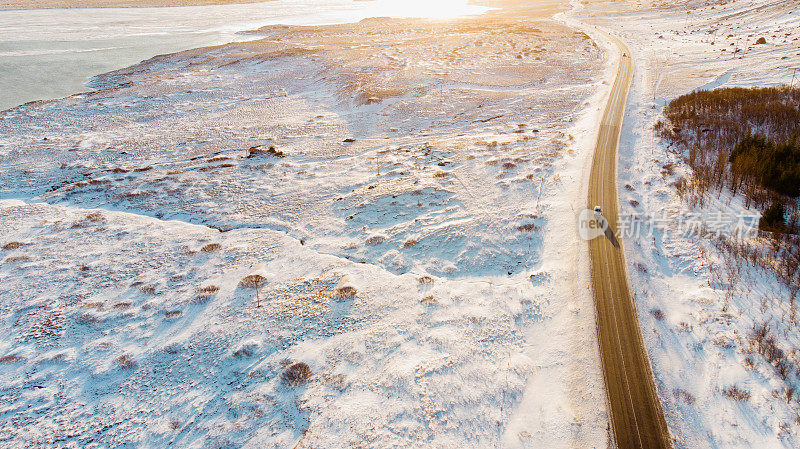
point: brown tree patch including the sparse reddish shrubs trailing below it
(747, 141)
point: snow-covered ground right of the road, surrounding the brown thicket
(697, 306)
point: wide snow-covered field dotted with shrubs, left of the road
(408, 190)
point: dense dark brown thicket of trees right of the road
(742, 139)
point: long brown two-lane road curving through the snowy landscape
(636, 416)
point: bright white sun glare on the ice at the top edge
(436, 9)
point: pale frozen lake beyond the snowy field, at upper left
(52, 53)
